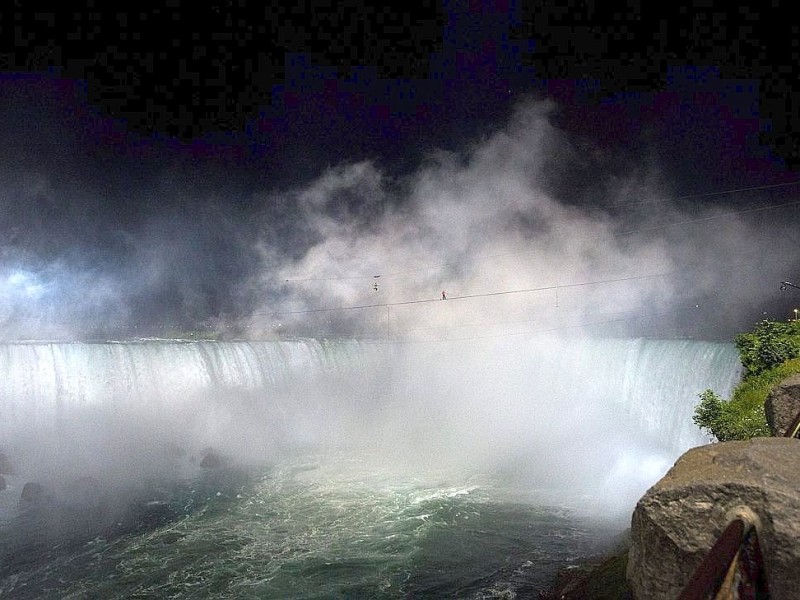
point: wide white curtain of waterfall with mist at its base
(542, 405)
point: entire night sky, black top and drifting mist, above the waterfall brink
(173, 168)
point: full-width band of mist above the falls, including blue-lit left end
(99, 248)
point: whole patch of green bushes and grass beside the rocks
(769, 353)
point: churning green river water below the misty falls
(306, 527)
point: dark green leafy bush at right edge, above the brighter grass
(769, 344)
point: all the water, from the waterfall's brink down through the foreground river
(350, 467)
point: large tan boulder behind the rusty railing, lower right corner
(681, 517)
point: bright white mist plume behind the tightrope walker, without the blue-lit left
(489, 221)
